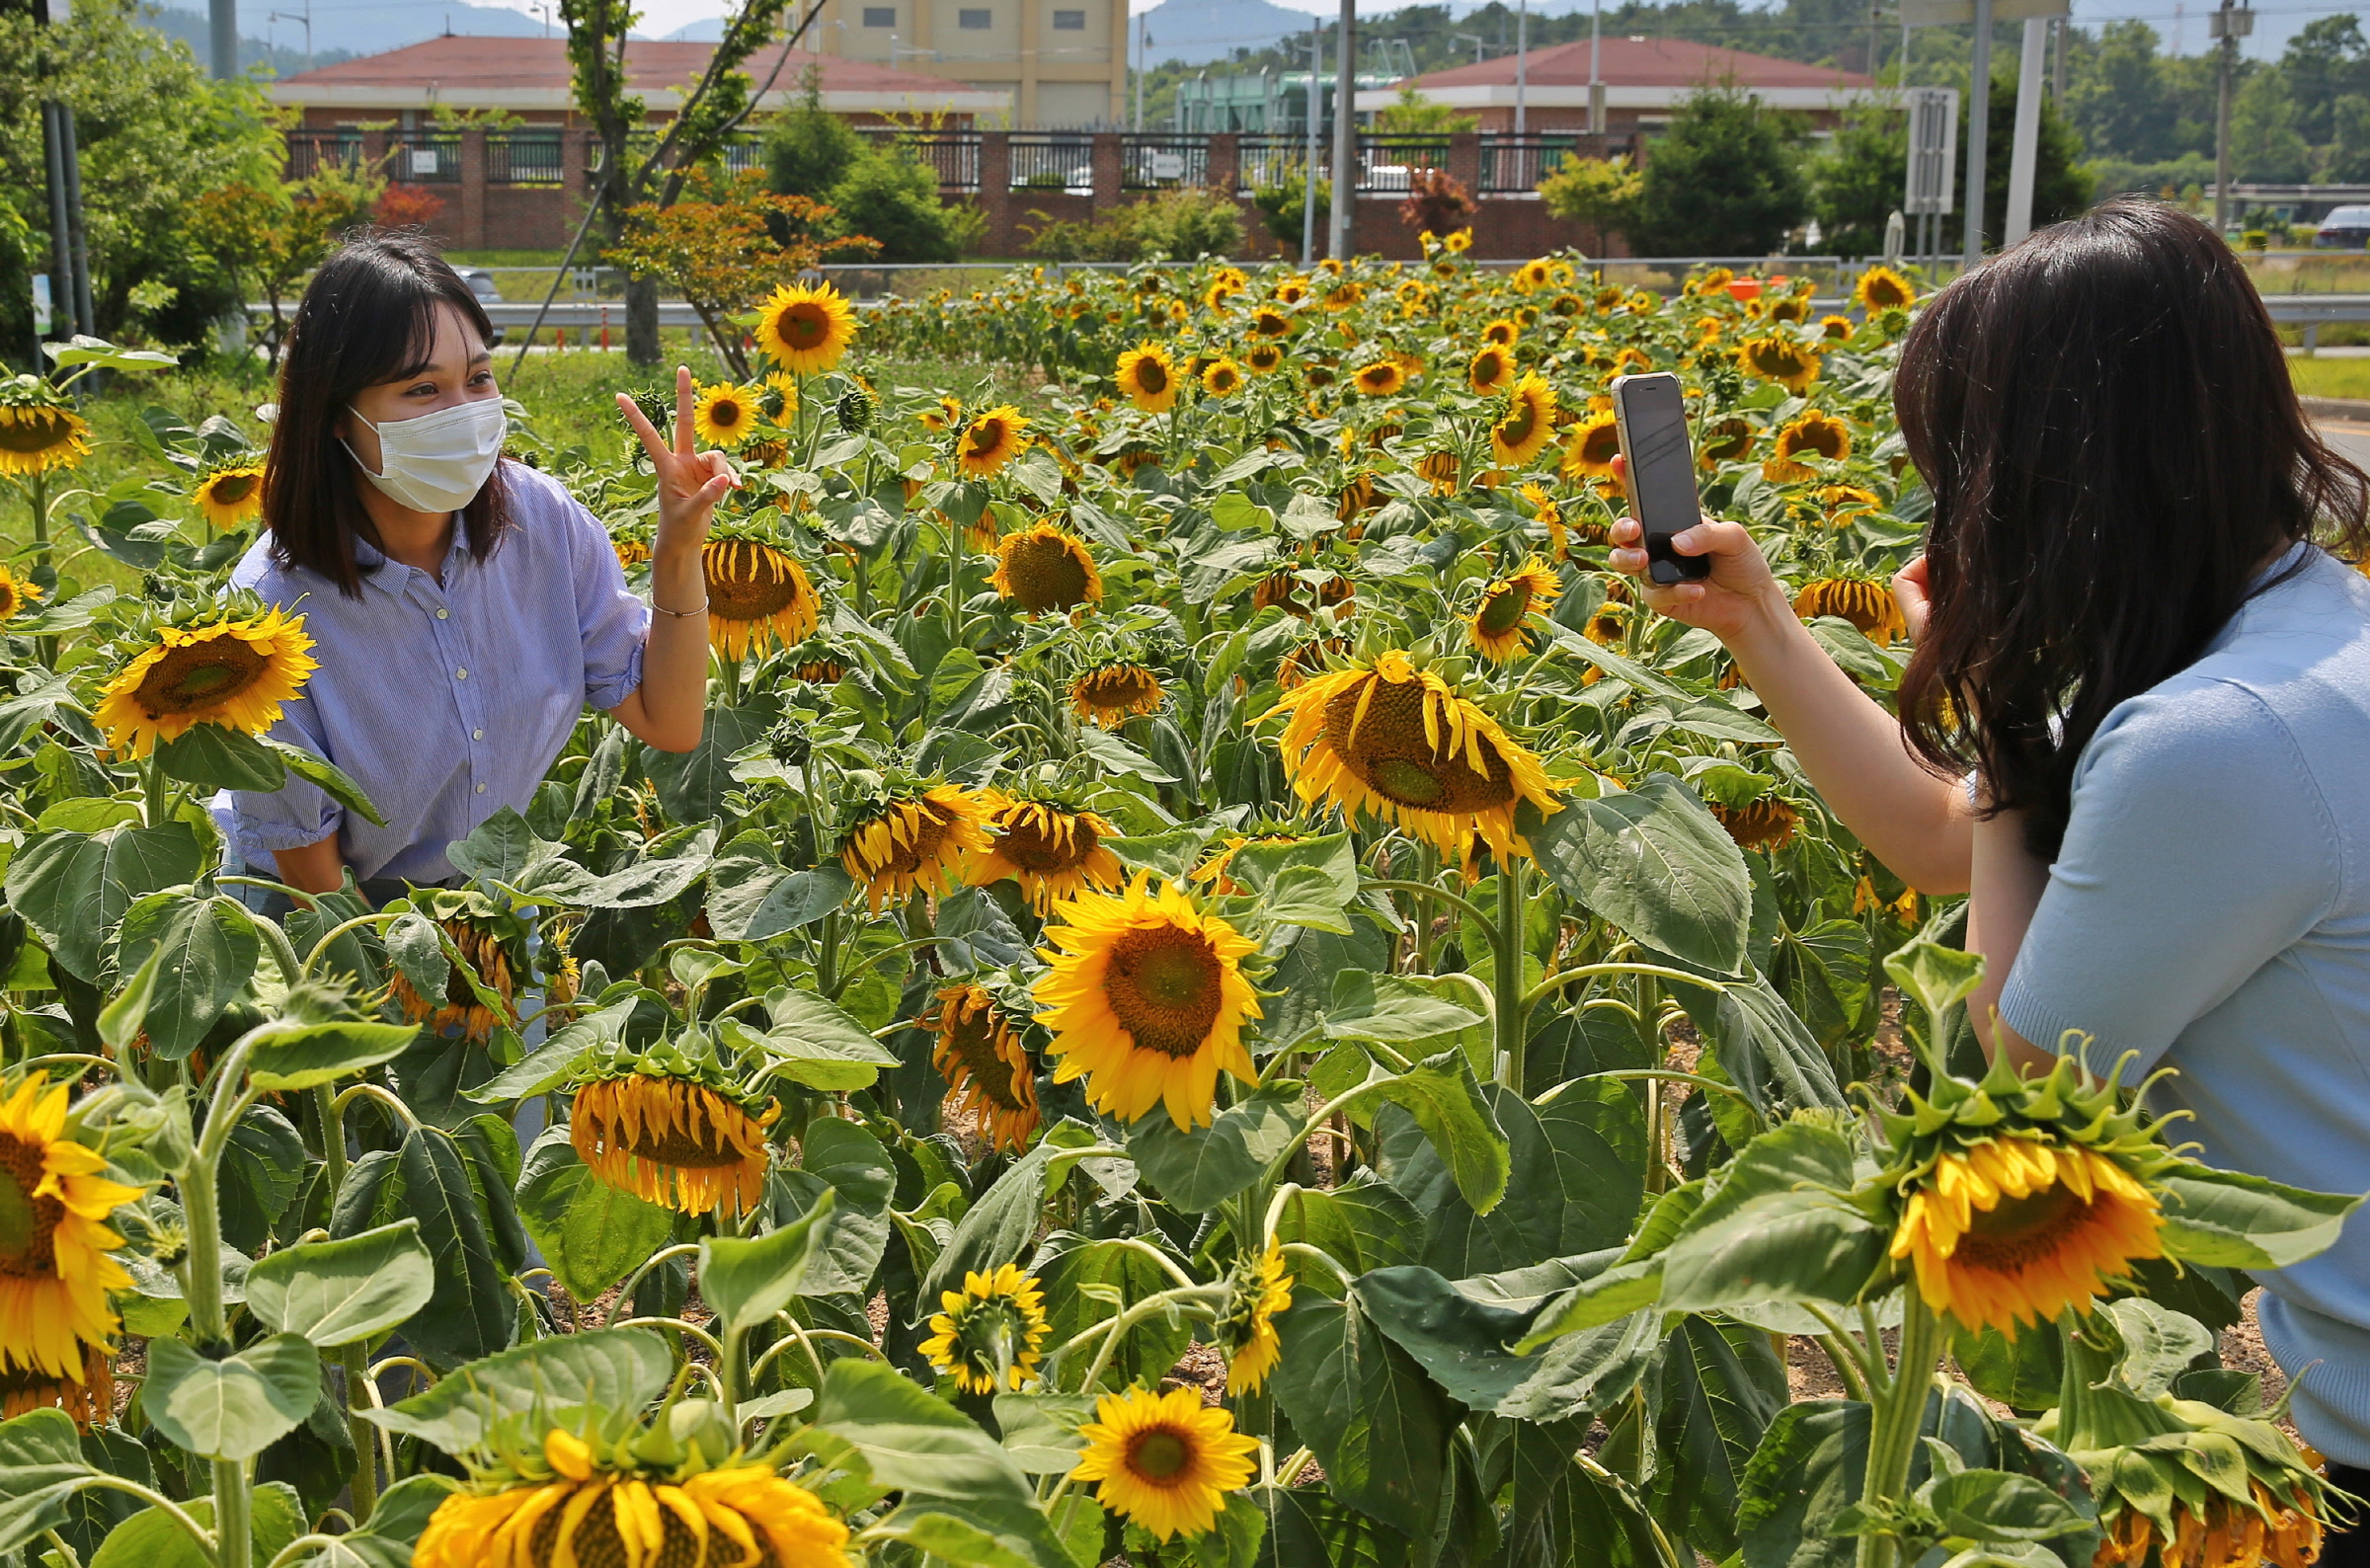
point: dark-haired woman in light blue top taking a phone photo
(2156, 783)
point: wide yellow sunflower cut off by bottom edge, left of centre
(570, 1512)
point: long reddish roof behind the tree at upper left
(511, 65)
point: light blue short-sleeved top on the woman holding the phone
(2210, 913)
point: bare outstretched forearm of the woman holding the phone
(1852, 752)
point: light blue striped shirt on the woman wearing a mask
(447, 702)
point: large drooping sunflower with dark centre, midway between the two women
(1407, 747)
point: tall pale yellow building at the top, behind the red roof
(1063, 60)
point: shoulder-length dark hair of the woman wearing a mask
(366, 319)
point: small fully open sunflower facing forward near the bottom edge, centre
(1165, 1460)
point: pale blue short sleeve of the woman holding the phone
(2198, 852)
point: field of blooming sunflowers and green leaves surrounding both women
(1215, 994)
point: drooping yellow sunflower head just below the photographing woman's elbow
(2020, 1230)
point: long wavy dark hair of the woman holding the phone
(2115, 451)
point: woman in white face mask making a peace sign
(466, 608)
